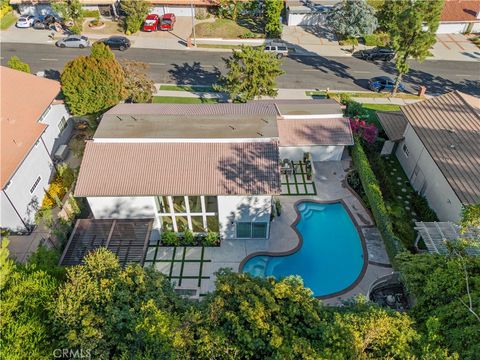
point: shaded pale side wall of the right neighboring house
(426, 177)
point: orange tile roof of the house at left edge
(24, 98)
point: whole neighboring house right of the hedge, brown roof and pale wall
(438, 146)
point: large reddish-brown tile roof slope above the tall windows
(146, 169)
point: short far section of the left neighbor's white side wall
(52, 136)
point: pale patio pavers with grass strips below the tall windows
(178, 263)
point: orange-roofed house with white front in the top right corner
(460, 16)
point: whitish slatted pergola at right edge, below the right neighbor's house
(437, 234)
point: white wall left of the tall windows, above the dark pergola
(122, 207)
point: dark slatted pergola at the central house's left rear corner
(127, 239)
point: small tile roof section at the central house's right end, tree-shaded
(299, 132)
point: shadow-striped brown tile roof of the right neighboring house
(449, 127)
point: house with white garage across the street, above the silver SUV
(308, 12)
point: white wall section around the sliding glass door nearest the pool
(242, 208)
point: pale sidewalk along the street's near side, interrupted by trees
(283, 94)
